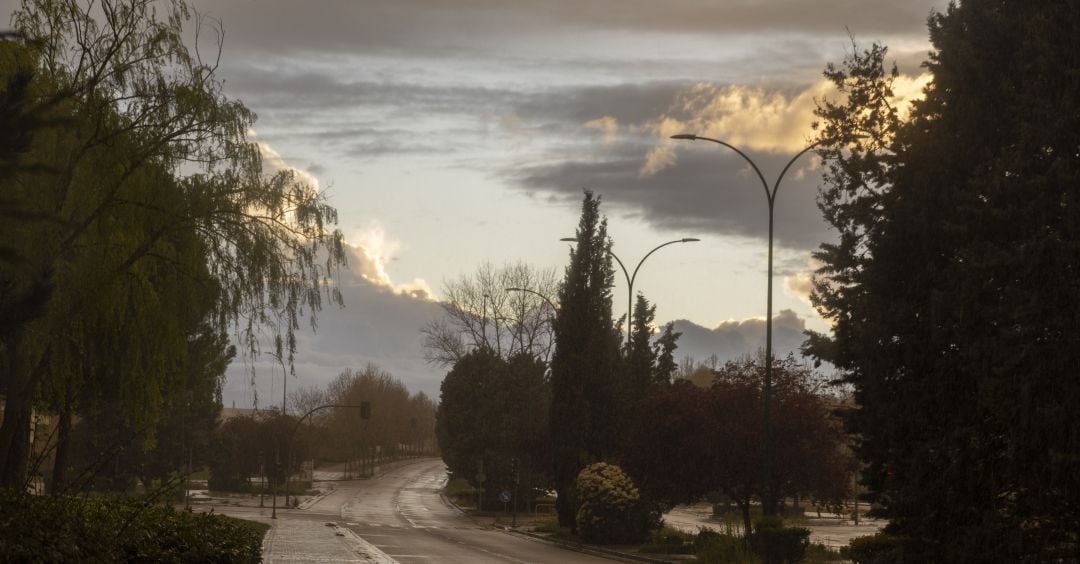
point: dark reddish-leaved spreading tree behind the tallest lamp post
(717, 438)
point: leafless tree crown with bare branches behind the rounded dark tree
(481, 312)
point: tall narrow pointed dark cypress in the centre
(585, 366)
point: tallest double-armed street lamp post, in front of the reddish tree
(768, 504)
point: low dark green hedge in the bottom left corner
(66, 530)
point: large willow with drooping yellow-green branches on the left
(140, 147)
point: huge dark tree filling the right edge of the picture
(952, 289)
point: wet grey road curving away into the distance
(399, 517)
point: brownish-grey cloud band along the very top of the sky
(447, 29)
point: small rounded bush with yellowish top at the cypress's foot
(611, 508)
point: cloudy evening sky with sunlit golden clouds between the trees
(454, 132)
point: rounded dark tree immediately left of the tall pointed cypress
(493, 412)
